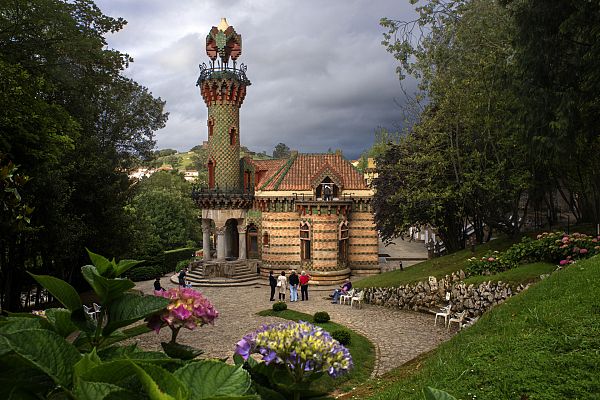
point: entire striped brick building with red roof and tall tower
(308, 212)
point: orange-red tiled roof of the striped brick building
(298, 172)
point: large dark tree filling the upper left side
(74, 124)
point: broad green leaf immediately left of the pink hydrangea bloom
(131, 308)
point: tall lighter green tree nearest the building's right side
(463, 162)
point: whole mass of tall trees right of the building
(506, 116)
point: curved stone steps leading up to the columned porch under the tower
(222, 274)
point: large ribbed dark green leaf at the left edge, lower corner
(47, 351)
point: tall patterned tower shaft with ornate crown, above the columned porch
(223, 88)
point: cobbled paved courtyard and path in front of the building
(397, 335)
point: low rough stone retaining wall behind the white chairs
(430, 296)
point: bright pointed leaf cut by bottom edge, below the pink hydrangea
(159, 383)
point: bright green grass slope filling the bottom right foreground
(541, 344)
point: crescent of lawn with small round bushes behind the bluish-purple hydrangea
(361, 349)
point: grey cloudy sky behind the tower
(320, 77)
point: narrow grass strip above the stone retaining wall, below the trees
(438, 267)
